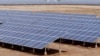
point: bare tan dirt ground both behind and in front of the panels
(69, 50)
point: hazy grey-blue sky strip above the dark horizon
(49, 2)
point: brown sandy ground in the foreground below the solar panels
(67, 50)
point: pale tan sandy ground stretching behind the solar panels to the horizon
(83, 9)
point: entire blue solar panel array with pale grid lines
(38, 29)
